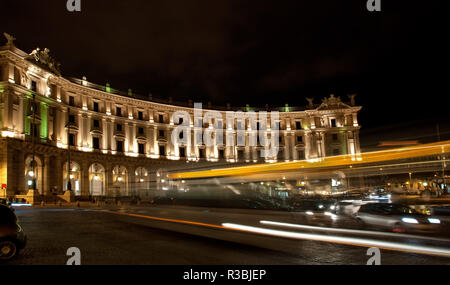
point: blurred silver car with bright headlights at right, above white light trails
(395, 217)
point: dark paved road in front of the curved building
(135, 236)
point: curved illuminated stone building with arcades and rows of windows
(119, 141)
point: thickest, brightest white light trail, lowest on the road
(344, 240)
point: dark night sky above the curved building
(252, 52)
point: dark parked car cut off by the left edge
(12, 236)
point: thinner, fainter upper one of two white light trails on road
(350, 231)
